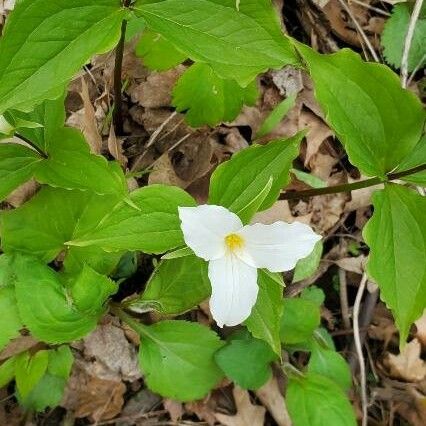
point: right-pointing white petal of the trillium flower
(277, 247)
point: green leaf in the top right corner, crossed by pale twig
(393, 37)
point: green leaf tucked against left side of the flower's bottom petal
(176, 286)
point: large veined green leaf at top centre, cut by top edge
(242, 46)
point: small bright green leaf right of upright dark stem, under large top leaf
(158, 53)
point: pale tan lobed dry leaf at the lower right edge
(408, 365)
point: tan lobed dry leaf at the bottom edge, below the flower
(247, 413)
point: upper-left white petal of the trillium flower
(205, 227)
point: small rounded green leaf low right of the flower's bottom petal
(300, 319)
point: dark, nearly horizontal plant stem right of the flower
(350, 186)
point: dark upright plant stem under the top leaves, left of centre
(118, 68)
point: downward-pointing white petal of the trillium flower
(234, 290)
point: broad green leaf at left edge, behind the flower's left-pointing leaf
(70, 214)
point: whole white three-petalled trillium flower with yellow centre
(235, 252)
